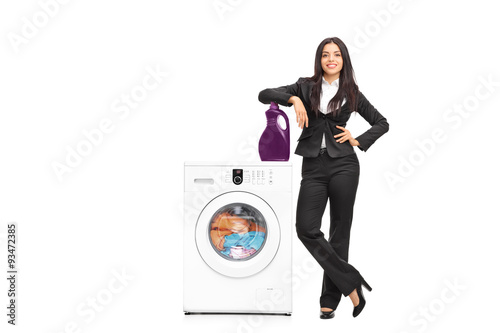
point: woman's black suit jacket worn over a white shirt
(311, 137)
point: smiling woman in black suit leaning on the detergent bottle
(330, 168)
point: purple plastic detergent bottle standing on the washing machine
(274, 144)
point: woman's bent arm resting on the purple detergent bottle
(287, 96)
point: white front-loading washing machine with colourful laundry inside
(238, 238)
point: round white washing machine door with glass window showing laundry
(237, 234)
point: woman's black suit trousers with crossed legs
(336, 179)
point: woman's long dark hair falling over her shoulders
(347, 83)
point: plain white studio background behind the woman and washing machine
(120, 208)
